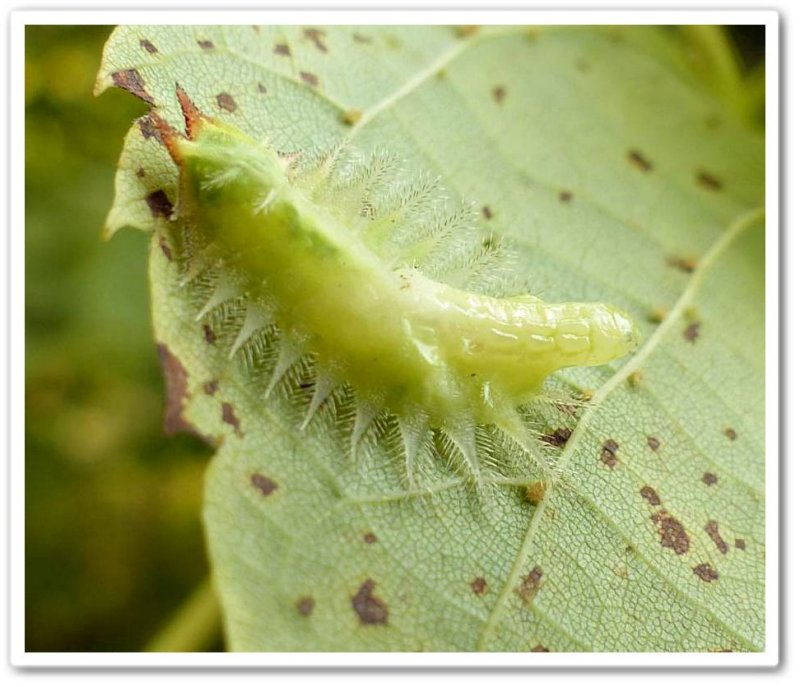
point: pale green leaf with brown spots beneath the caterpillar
(619, 178)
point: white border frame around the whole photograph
(18, 655)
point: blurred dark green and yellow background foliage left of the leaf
(113, 534)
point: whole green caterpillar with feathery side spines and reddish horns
(392, 293)
